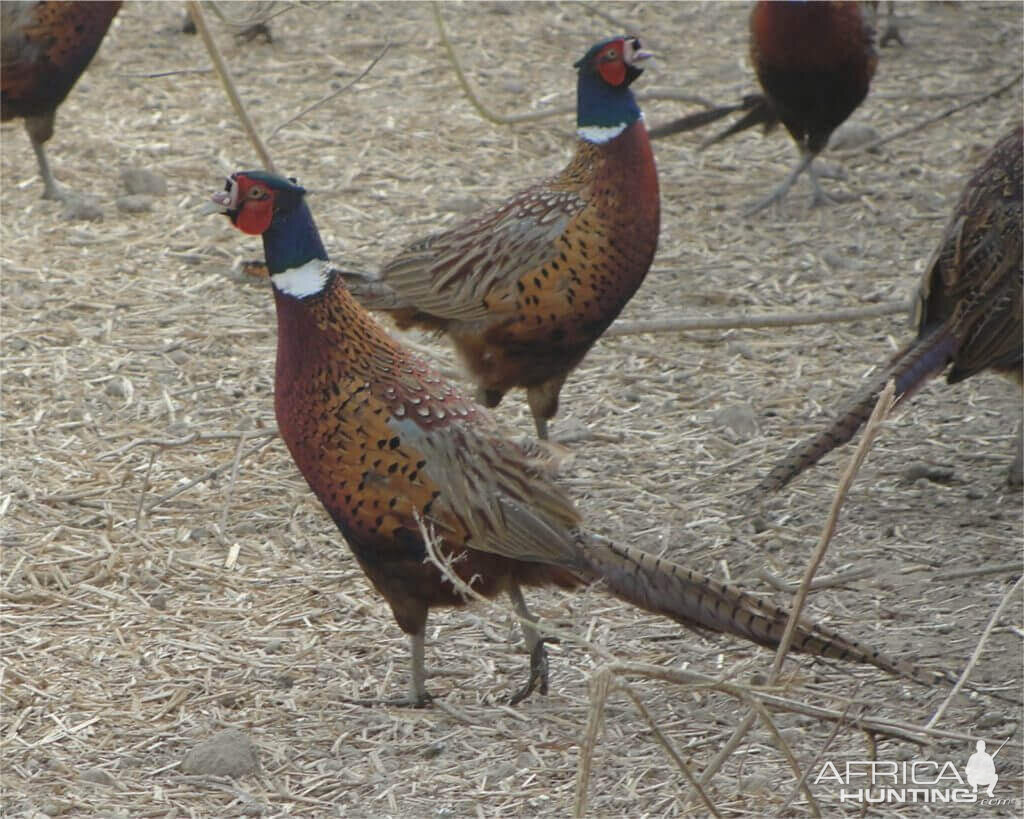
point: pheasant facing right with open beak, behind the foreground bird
(525, 290)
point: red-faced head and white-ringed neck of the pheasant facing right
(606, 106)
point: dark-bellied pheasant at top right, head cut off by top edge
(816, 62)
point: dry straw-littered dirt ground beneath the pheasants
(167, 575)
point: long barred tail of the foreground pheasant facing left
(698, 601)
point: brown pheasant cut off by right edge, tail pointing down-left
(968, 312)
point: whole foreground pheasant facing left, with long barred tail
(393, 449)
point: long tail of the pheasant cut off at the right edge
(911, 368)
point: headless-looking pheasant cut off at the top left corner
(45, 49)
